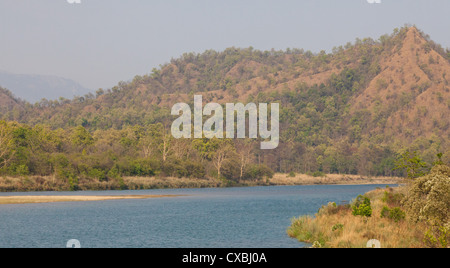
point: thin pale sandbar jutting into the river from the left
(51, 199)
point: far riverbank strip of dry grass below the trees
(50, 183)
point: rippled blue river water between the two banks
(255, 217)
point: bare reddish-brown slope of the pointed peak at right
(410, 97)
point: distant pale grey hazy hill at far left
(33, 88)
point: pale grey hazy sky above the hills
(101, 42)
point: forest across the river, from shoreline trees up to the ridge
(124, 131)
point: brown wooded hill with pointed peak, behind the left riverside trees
(366, 101)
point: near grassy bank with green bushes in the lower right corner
(415, 215)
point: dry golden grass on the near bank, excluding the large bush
(357, 231)
